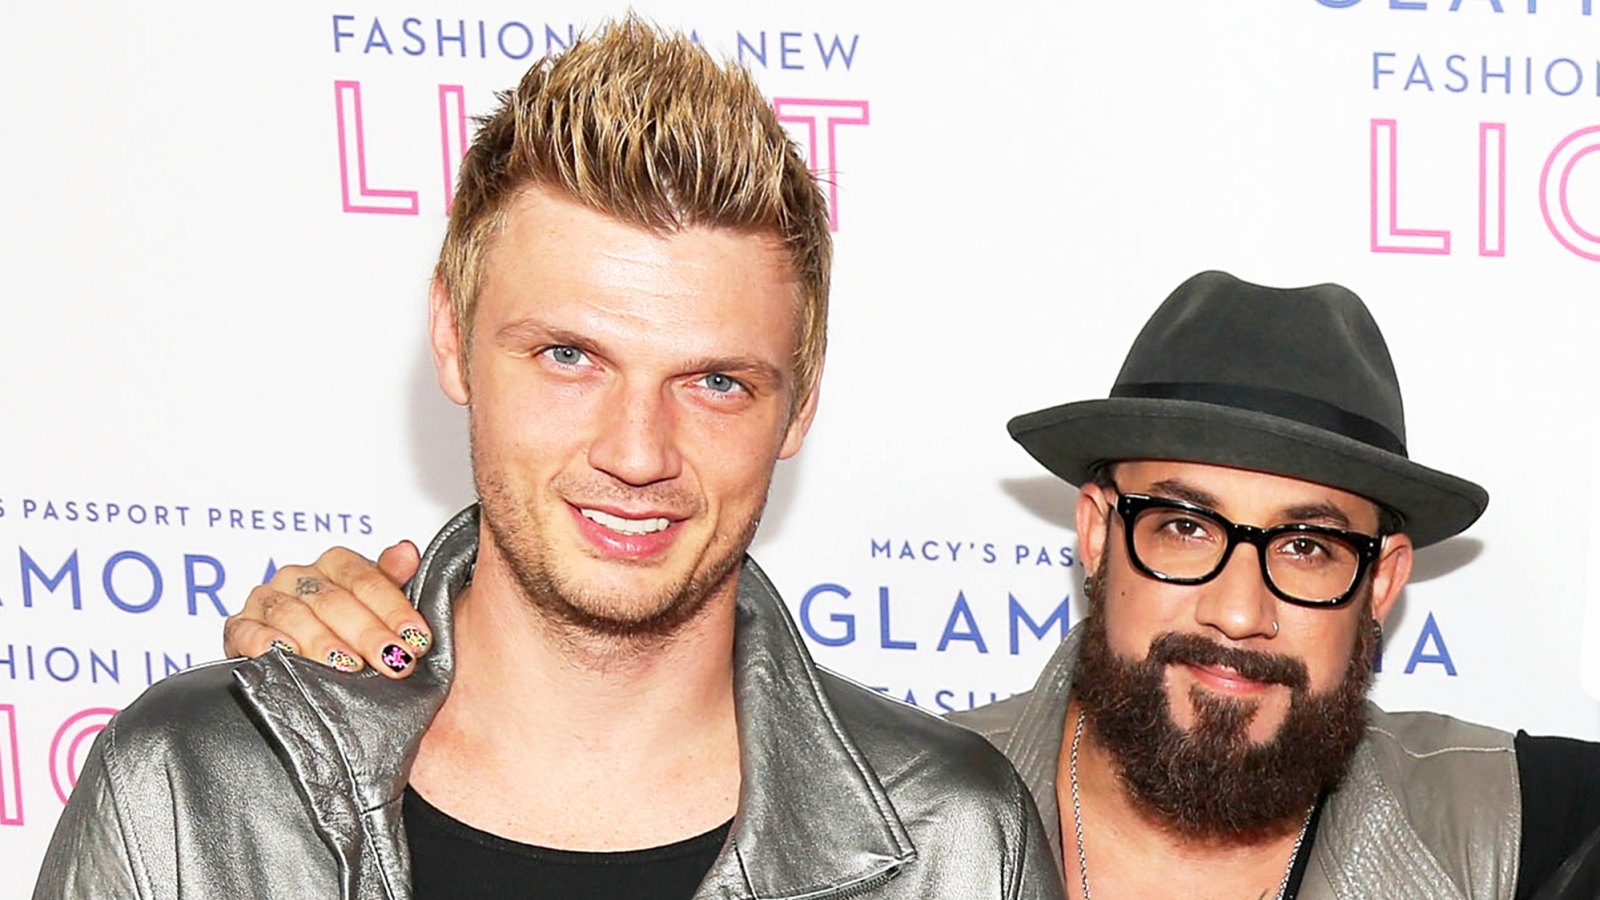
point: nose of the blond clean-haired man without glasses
(636, 440)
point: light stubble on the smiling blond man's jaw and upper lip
(575, 609)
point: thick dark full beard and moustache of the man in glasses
(1214, 782)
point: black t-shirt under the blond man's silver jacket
(452, 861)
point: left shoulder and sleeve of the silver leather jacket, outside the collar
(185, 794)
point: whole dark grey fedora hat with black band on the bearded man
(1294, 382)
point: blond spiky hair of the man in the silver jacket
(649, 129)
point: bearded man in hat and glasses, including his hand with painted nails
(1249, 515)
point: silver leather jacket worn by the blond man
(278, 777)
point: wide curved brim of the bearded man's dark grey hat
(1071, 440)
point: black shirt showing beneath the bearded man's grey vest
(1561, 810)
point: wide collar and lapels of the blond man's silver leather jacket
(814, 818)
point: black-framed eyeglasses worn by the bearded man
(1183, 544)
